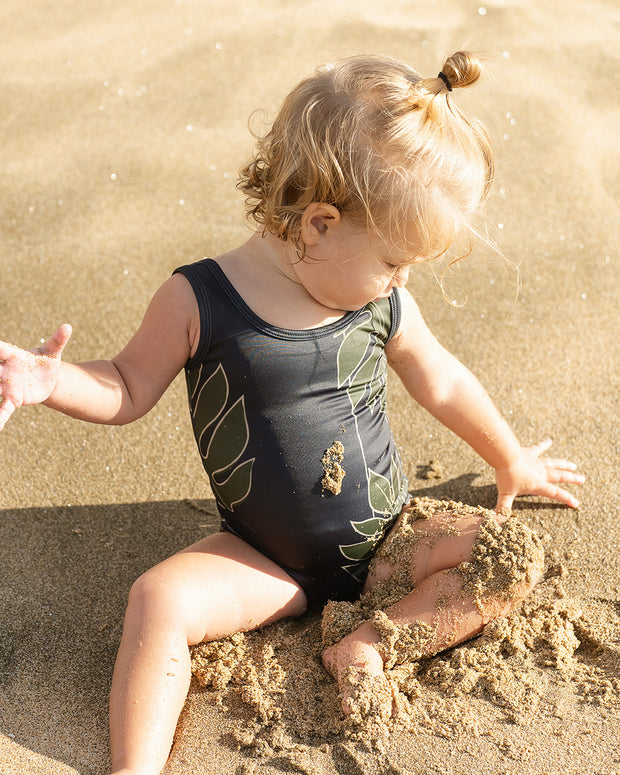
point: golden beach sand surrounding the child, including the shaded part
(123, 126)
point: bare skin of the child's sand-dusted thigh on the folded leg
(440, 542)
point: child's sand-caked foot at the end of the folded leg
(357, 667)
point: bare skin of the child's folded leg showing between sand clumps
(440, 601)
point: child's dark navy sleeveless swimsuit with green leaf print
(267, 403)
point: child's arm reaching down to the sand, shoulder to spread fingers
(441, 384)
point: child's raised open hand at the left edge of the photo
(29, 376)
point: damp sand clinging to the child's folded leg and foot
(506, 561)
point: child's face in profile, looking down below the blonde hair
(349, 266)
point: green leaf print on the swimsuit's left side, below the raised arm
(222, 445)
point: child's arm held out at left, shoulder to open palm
(115, 391)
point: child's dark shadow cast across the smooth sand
(66, 573)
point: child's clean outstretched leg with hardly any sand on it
(216, 587)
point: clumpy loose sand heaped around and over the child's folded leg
(515, 665)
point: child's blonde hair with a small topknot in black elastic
(383, 145)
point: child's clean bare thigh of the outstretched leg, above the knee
(218, 586)
